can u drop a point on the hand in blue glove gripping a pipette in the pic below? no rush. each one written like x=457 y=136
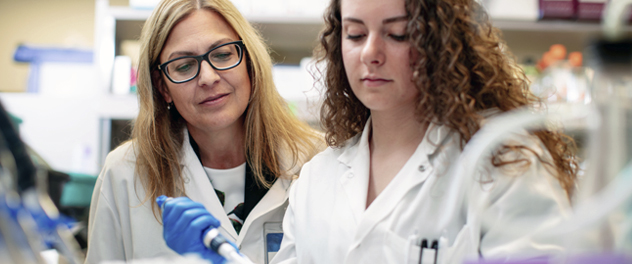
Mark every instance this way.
x=185 y=223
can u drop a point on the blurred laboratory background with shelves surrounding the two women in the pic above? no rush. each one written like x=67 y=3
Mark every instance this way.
x=68 y=88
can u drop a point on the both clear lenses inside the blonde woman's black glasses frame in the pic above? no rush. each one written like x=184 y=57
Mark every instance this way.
x=222 y=57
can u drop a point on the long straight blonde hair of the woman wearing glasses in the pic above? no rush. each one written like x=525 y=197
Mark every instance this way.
x=271 y=129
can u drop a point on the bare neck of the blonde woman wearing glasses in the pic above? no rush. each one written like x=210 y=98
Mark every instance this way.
x=223 y=149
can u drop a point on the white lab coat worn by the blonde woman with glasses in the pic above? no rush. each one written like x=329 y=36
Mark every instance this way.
x=123 y=227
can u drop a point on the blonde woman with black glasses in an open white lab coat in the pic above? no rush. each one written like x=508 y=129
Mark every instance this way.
x=211 y=127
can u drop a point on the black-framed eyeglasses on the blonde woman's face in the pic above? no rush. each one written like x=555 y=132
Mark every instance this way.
x=222 y=57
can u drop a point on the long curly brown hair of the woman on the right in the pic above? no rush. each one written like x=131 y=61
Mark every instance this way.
x=464 y=67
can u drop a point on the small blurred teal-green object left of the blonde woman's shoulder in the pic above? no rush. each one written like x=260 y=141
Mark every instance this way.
x=78 y=191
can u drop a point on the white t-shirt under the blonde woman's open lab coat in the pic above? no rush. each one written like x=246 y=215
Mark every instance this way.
x=232 y=182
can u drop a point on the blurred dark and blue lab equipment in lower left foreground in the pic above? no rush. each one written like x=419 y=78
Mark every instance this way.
x=28 y=217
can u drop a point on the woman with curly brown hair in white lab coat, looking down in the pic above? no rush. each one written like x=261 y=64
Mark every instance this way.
x=408 y=83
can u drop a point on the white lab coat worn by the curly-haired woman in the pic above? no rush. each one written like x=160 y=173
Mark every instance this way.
x=326 y=221
